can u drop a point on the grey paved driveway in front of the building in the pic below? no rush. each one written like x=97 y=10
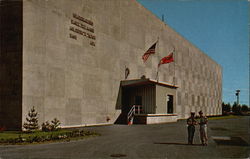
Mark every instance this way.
x=146 y=141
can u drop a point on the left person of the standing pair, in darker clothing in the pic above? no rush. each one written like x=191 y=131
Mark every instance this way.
x=191 y=122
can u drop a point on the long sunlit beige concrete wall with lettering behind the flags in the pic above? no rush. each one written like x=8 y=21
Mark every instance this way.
x=65 y=76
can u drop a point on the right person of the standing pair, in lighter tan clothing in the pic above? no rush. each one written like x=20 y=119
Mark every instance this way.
x=203 y=128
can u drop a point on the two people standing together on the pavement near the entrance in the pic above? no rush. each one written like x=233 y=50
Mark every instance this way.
x=202 y=121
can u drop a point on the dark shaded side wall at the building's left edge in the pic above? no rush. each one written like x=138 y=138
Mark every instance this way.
x=10 y=64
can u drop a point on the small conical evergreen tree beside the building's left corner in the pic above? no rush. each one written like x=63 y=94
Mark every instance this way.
x=32 y=121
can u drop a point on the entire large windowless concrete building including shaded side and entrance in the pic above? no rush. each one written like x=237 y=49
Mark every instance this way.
x=68 y=59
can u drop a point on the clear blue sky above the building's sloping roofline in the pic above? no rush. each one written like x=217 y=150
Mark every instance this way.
x=220 y=29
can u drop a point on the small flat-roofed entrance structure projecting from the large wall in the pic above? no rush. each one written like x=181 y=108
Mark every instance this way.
x=156 y=100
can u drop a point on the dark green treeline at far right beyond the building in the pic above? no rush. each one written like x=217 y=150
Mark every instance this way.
x=234 y=109
